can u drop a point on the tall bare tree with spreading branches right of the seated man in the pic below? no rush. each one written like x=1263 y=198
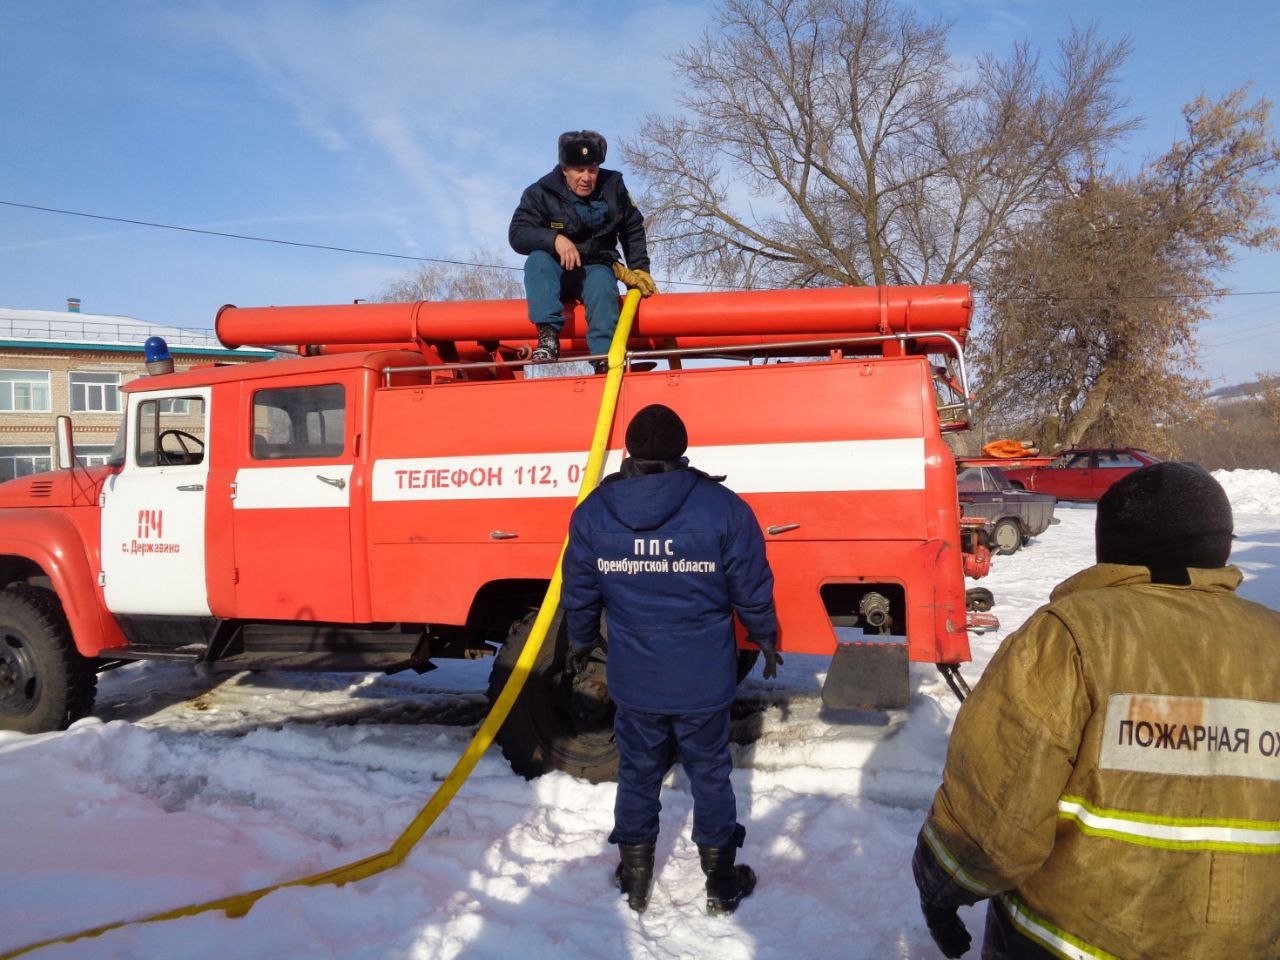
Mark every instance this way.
x=838 y=141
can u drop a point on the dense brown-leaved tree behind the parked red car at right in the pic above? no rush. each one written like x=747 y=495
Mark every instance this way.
x=1095 y=307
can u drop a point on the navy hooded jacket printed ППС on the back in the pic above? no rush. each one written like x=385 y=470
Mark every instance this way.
x=670 y=557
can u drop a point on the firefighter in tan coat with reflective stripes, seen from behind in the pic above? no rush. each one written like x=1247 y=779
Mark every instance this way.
x=1113 y=784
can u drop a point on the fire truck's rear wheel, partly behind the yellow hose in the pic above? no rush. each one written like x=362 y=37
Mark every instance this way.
x=551 y=726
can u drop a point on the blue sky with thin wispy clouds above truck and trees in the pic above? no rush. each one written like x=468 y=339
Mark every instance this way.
x=412 y=127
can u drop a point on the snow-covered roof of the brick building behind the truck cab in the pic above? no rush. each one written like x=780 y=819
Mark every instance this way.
x=57 y=330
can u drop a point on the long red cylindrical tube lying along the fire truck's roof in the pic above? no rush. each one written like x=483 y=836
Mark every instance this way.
x=793 y=313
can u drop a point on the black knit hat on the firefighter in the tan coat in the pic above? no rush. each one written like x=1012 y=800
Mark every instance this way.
x=1168 y=516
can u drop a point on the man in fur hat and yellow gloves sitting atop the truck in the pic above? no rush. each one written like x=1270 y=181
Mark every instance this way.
x=570 y=225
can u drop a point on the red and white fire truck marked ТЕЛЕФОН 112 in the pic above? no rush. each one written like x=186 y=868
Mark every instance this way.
x=400 y=493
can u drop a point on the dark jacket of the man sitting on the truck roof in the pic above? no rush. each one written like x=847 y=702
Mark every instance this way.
x=548 y=208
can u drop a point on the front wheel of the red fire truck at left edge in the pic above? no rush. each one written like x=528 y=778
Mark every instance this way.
x=45 y=684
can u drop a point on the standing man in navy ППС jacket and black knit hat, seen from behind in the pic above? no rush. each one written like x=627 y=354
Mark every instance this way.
x=670 y=555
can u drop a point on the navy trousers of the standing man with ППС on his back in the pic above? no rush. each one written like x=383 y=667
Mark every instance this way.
x=648 y=743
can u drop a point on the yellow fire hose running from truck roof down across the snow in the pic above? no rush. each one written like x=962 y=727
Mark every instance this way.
x=240 y=904
